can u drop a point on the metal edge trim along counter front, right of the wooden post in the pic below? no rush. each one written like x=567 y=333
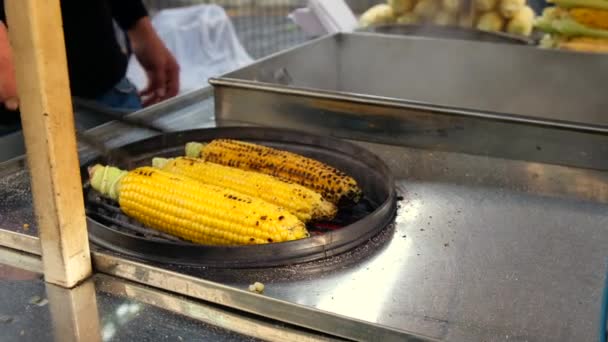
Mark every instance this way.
x=295 y=314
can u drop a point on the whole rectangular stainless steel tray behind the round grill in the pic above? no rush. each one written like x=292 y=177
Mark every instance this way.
x=501 y=100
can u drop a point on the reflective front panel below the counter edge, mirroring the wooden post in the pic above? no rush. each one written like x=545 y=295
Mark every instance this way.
x=110 y=309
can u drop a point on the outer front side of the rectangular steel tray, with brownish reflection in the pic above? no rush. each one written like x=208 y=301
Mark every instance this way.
x=413 y=126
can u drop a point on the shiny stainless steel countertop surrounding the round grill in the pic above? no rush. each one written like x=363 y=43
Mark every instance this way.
x=482 y=248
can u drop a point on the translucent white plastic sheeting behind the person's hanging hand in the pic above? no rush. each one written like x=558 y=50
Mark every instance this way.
x=202 y=39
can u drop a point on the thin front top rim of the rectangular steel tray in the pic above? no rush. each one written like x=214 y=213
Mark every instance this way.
x=406 y=104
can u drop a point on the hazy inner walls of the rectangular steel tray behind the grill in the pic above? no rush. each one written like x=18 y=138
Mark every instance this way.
x=478 y=76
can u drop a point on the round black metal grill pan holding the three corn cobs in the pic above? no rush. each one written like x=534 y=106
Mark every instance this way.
x=370 y=171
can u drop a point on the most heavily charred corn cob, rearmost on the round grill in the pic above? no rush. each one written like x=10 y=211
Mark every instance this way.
x=333 y=184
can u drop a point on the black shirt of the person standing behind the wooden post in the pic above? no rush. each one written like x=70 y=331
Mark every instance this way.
x=95 y=59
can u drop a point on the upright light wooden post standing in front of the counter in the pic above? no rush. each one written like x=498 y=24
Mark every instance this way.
x=36 y=35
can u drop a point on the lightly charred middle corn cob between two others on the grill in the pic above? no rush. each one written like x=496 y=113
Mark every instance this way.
x=304 y=203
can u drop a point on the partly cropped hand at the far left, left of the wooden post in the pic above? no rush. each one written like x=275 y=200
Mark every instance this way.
x=8 y=82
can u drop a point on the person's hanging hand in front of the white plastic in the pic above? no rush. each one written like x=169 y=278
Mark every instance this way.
x=158 y=62
